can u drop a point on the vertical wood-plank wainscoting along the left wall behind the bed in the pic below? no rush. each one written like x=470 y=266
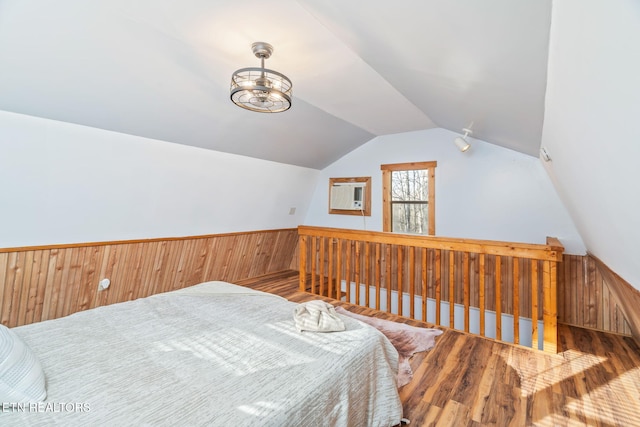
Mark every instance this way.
x=47 y=282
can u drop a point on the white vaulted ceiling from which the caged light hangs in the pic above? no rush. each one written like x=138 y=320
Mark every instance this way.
x=161 y=69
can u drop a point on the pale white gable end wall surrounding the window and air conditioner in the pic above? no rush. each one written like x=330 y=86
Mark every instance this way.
x=489 y=192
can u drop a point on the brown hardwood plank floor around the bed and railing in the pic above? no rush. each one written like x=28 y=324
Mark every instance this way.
x=472 y=381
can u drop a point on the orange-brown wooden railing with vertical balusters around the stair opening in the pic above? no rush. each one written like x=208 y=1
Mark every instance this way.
x=479 y=282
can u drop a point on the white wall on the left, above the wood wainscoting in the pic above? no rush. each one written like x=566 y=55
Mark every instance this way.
x=65 y=183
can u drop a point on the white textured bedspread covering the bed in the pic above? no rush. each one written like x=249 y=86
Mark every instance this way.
x=211 y=354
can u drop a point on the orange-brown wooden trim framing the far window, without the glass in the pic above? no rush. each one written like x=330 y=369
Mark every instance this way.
x=386 y=191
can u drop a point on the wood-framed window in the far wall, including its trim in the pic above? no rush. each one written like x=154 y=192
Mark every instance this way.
x=408 y=197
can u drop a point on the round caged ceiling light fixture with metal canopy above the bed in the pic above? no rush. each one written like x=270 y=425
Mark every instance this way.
x=260 y=89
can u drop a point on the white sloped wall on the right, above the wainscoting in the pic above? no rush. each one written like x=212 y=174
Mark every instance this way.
x=591 y=125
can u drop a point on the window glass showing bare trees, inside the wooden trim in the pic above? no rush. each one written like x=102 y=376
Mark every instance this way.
x=410 y=201
